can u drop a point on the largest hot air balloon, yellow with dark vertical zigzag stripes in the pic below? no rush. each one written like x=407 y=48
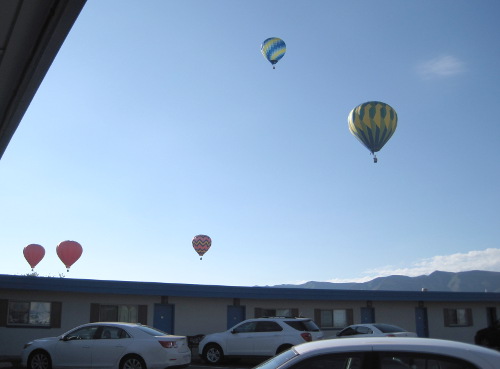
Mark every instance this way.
x=373 y=124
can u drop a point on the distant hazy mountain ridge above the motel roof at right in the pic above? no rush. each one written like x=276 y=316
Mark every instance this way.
x=472 y=281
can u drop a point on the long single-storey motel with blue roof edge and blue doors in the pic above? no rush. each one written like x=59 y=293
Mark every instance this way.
x=36 y=307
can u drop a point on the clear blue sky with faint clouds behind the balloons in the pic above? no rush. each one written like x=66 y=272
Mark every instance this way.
x=161 y=120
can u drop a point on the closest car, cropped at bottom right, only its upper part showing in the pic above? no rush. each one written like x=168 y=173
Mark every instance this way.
x=385 y=353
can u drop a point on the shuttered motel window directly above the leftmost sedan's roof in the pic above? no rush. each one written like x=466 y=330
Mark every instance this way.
x=118 y=313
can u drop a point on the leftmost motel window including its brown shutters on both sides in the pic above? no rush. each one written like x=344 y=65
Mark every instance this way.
x=31 y=314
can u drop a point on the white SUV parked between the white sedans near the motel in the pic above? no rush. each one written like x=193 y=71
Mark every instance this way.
x=259 y=337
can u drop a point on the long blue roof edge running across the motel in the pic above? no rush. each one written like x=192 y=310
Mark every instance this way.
x=195 y=290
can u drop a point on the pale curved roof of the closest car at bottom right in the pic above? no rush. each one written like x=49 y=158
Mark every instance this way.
x=407 y=344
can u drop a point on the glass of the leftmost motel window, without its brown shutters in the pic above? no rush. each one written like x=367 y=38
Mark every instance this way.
x=29 y=313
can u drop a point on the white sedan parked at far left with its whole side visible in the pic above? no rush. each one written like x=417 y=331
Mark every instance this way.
x=108 y=345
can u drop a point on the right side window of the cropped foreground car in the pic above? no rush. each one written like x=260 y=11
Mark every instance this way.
x=421 y=361
